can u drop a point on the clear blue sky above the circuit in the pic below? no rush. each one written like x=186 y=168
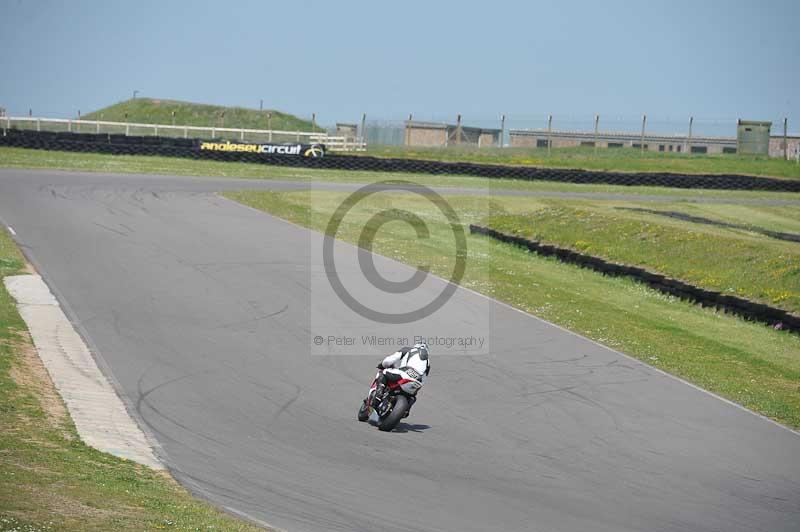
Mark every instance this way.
x=712 y=59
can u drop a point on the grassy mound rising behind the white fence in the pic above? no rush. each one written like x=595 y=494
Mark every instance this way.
x=156 y=111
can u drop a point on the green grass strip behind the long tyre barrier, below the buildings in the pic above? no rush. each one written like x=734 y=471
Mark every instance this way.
x=620 y=160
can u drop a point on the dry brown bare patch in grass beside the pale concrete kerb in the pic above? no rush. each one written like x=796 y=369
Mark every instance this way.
x=30 y=374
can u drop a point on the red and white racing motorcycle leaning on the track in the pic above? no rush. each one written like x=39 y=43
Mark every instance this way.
x=395 y=399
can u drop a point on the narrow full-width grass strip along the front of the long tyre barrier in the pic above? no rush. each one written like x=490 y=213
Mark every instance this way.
x=95 y=162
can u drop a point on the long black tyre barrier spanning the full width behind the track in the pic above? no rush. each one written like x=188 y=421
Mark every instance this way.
x=176 y=147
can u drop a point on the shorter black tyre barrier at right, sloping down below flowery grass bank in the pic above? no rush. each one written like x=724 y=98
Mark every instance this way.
x=744 y=308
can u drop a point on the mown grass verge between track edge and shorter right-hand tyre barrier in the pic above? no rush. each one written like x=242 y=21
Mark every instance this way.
x=749 y=363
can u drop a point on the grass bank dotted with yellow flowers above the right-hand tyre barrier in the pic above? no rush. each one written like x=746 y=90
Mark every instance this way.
x=733 y=261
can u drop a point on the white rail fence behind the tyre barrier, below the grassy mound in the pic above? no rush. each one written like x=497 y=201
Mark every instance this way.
x=333 y=143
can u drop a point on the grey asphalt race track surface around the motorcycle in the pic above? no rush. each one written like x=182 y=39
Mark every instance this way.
x=198 y=307
